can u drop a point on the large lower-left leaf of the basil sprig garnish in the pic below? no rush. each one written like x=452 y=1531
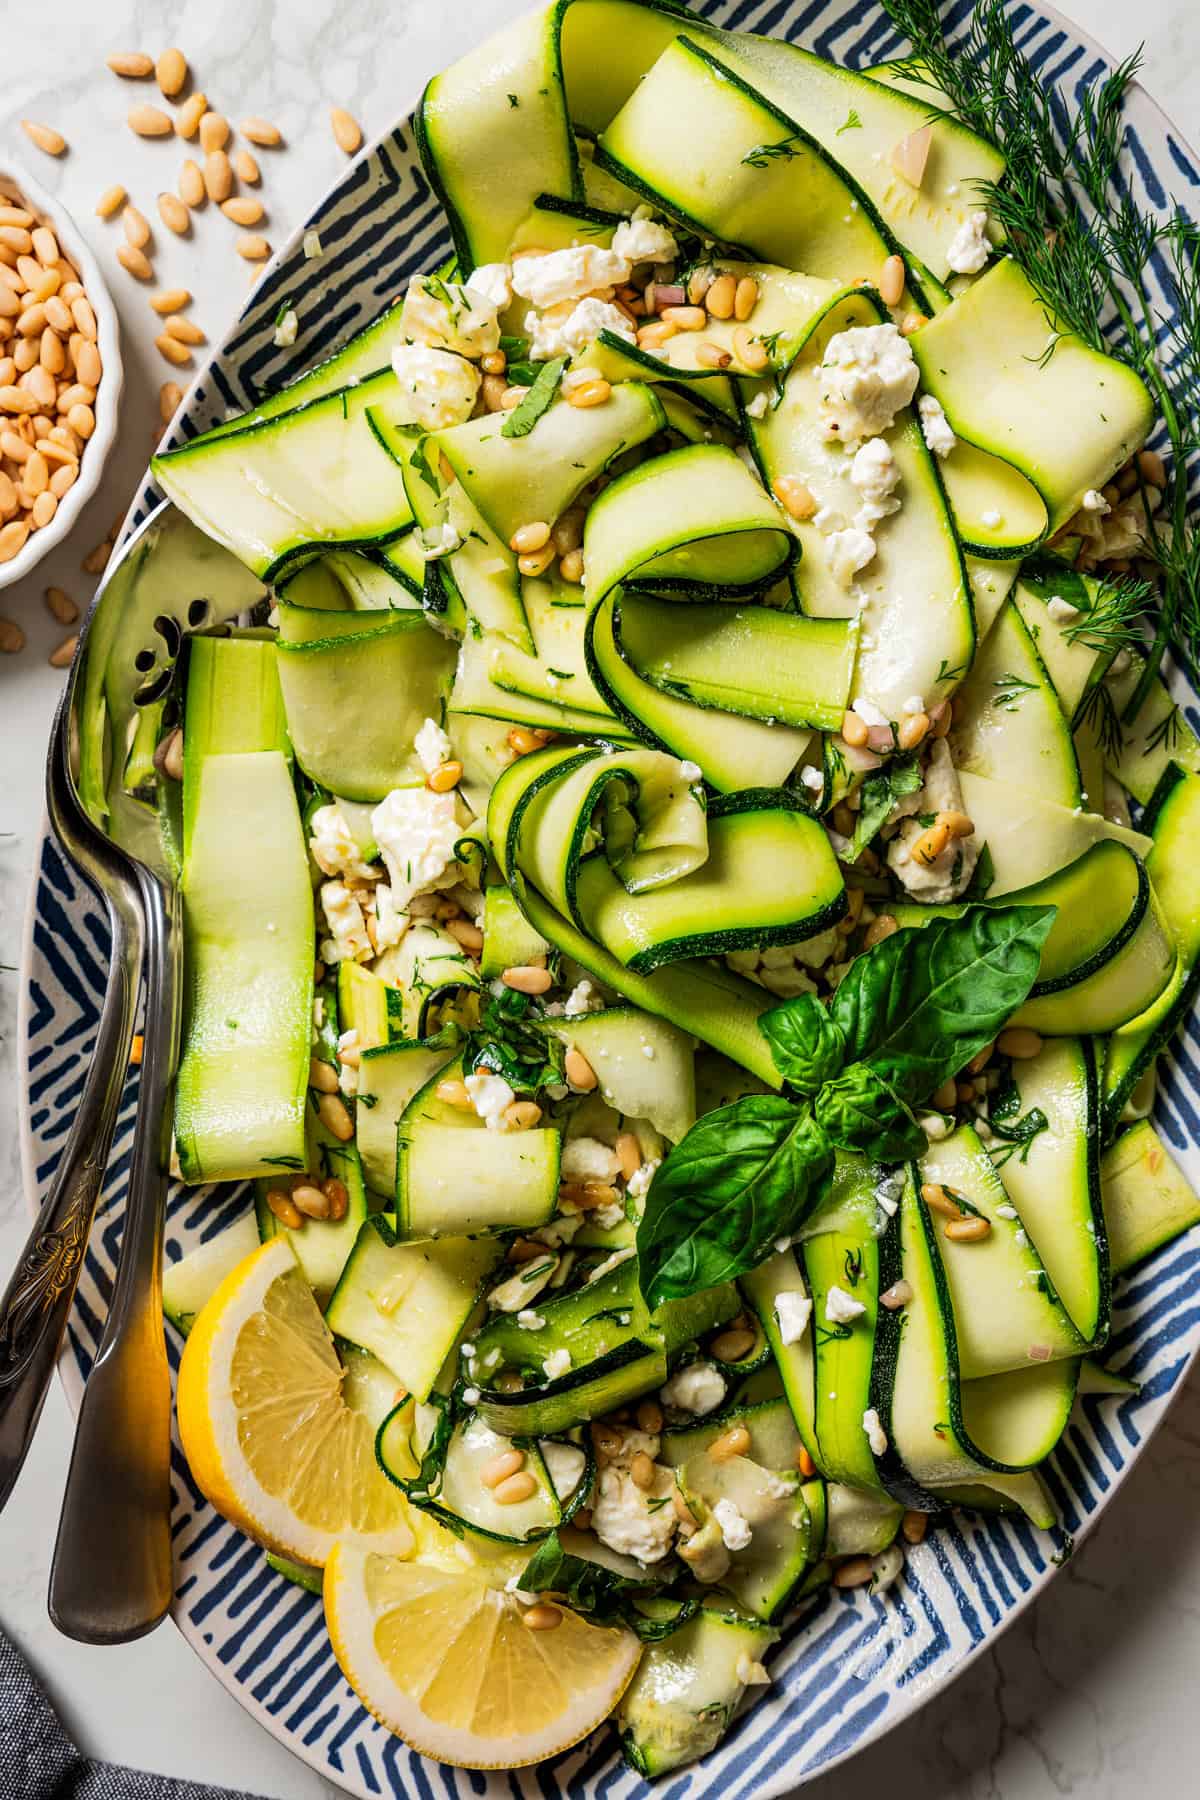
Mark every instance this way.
x=742 y=1178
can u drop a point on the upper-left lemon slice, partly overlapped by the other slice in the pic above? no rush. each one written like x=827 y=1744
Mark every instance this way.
x=264 y=1423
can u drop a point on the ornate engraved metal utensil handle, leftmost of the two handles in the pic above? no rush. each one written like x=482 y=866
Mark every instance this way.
x=37 y=1302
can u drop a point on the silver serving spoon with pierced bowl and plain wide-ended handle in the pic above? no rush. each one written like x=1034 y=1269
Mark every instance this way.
x=111 y=1579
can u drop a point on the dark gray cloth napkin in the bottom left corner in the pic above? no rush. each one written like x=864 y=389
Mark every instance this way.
x=40 y=1763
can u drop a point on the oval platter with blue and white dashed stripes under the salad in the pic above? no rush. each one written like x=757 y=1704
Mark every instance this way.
x=848 y=1668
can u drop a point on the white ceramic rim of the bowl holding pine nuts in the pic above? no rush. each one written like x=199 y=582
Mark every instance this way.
x=19 y=186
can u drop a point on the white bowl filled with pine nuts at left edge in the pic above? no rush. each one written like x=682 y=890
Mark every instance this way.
x=60 y=373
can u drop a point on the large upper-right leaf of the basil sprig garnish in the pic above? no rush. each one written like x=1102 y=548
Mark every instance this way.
x=920 y=1005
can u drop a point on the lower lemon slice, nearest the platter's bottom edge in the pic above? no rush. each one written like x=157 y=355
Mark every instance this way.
x=442 y=1657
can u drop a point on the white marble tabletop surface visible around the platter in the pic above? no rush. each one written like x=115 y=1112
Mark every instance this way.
x=1091 y=1691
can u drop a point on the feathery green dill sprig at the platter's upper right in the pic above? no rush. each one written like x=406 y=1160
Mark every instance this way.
x=1073 y=224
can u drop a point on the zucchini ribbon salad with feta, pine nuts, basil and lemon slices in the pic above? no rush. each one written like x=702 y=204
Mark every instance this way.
x=712 y=867
